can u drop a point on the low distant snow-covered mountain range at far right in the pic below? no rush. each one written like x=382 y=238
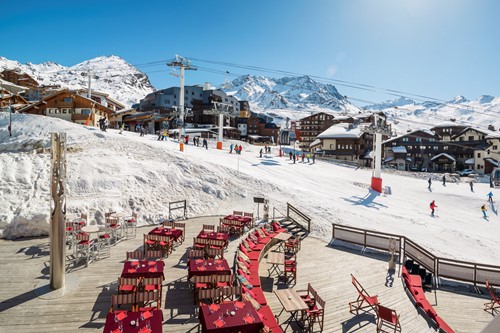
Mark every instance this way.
x=408 y=114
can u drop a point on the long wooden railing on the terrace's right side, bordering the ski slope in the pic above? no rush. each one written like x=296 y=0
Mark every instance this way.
x=440 y=267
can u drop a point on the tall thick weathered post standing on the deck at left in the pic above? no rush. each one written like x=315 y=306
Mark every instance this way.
x=58 y=210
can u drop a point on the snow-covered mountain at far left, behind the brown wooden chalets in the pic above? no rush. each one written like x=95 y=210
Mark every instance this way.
x=111 y=75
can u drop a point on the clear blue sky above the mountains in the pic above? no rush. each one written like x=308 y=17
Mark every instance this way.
x=434 y=48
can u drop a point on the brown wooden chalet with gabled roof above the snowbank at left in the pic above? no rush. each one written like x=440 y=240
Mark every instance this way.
x=70 y=106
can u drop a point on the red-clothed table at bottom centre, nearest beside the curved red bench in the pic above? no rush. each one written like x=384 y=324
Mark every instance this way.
x=230 y=317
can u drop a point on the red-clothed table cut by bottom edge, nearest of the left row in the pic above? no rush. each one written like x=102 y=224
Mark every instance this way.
x=154 y=317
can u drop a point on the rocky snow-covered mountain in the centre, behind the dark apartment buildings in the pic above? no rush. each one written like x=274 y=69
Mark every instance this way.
x=290 y=94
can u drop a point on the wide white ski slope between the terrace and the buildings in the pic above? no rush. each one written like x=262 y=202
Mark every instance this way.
x=127 y=172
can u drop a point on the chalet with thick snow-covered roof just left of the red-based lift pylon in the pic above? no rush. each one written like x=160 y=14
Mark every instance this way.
x=345 y=141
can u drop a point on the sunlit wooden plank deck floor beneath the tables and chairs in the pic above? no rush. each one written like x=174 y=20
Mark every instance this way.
x=25 y=263
